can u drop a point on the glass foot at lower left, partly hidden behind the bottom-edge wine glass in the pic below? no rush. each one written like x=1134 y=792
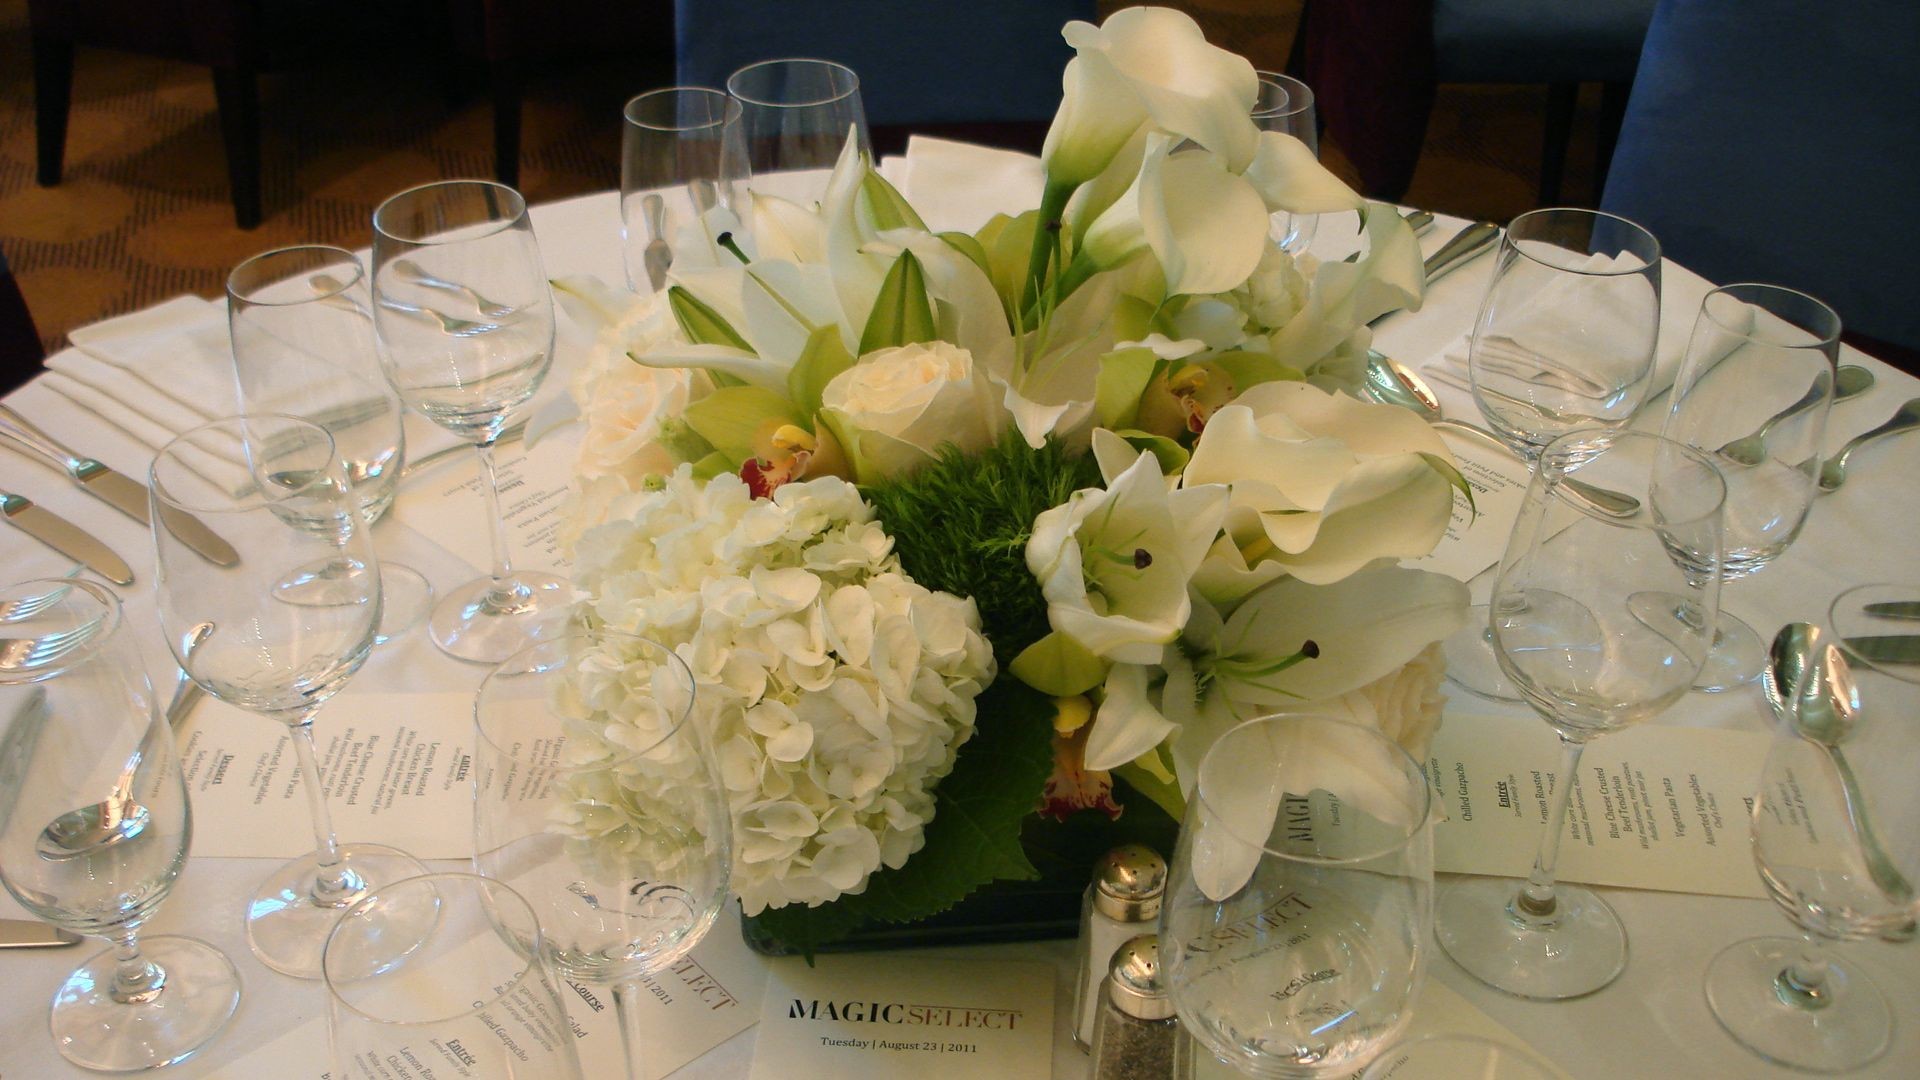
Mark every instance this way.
x=287 y=927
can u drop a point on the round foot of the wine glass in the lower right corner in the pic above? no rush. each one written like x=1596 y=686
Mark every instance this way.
x=1852 y=1029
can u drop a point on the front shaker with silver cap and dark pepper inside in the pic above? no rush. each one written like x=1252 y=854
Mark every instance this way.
x=1136 y=1035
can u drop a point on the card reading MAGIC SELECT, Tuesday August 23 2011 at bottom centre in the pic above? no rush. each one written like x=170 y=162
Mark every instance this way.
x=905 y=1016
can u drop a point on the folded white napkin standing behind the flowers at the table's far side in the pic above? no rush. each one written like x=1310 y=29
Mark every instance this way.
x=959 y=187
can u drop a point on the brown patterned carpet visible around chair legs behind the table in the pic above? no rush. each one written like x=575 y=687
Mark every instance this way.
x=145 y=214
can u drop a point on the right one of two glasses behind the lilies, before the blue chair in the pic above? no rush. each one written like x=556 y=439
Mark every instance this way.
x=798 y=118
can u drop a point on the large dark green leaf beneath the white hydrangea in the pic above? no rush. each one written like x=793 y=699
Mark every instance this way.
x=974 y=837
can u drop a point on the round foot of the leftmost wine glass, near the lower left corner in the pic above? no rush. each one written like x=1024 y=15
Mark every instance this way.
x=95 y=1031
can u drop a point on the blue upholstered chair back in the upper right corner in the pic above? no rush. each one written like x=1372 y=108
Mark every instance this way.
x=1781 y=141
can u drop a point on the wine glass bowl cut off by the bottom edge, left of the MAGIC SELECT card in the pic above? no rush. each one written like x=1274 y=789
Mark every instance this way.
x=444 y=962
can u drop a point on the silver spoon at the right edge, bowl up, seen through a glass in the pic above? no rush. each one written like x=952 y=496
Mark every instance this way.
x=1808 y=681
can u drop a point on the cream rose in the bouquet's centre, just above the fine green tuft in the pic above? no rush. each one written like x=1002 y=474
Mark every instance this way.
x=898 y=406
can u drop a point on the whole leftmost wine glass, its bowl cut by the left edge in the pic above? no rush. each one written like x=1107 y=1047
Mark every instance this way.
x=95 y=829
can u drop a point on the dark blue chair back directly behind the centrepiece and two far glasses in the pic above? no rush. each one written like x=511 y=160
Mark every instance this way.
x=919 y=64
